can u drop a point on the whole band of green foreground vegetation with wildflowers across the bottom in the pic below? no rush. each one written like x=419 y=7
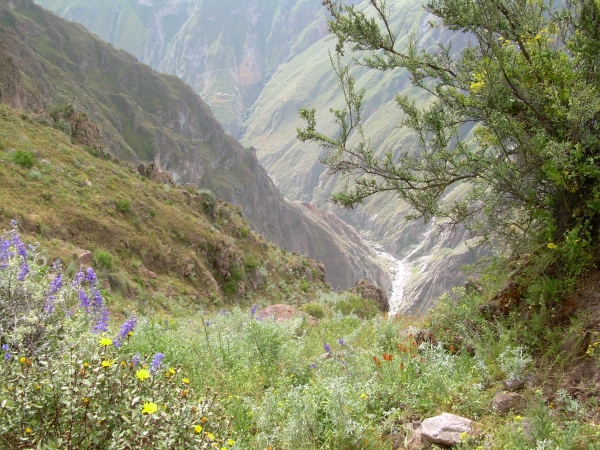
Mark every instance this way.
x=346 y=382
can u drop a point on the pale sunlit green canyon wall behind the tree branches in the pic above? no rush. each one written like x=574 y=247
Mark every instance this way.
x=309 y=80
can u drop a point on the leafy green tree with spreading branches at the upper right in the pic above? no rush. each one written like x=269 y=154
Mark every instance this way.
x=528 y=87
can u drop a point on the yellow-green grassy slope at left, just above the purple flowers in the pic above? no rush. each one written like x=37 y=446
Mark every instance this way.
x=72 y=200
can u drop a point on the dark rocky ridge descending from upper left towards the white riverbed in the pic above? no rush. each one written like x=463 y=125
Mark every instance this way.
x=147 y=116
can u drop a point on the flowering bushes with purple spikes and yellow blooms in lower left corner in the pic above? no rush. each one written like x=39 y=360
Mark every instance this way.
x=65 y=384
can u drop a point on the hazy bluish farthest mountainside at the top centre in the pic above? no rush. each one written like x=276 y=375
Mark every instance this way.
x=225 y=50
